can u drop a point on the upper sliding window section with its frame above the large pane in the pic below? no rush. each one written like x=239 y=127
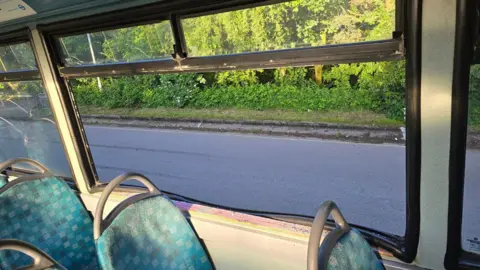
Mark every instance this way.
x=295 y=33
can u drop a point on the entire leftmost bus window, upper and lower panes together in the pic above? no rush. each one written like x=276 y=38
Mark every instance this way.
x=27 y=126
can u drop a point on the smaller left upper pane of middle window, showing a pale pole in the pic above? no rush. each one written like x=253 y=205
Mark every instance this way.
x=137 y=43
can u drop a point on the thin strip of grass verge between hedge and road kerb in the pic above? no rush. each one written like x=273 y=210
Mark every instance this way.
x=354 y=118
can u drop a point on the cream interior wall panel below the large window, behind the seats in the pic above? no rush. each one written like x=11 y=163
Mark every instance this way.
x=243 y=247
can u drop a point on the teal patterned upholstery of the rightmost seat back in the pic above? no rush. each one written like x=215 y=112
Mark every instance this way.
x=353 y=252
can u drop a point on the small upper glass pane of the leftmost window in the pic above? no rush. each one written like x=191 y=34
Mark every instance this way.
x=17 y=57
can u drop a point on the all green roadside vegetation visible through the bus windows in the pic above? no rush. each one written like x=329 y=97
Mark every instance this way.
x=359 y=93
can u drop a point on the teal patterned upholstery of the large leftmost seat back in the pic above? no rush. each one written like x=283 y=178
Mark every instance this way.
x=46 y=213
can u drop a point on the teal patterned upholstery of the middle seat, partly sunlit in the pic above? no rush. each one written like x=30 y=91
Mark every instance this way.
x=151 y=234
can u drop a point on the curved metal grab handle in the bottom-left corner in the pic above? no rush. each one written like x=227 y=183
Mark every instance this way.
x=40 y=259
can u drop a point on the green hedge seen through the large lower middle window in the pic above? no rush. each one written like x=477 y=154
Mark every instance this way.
x=291 y=91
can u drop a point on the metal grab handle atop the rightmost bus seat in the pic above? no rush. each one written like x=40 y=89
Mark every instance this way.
x=323 y=212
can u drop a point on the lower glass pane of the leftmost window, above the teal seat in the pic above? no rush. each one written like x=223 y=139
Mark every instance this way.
x=27 y=126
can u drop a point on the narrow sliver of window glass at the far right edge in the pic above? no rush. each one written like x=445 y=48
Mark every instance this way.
x=471 y=207
